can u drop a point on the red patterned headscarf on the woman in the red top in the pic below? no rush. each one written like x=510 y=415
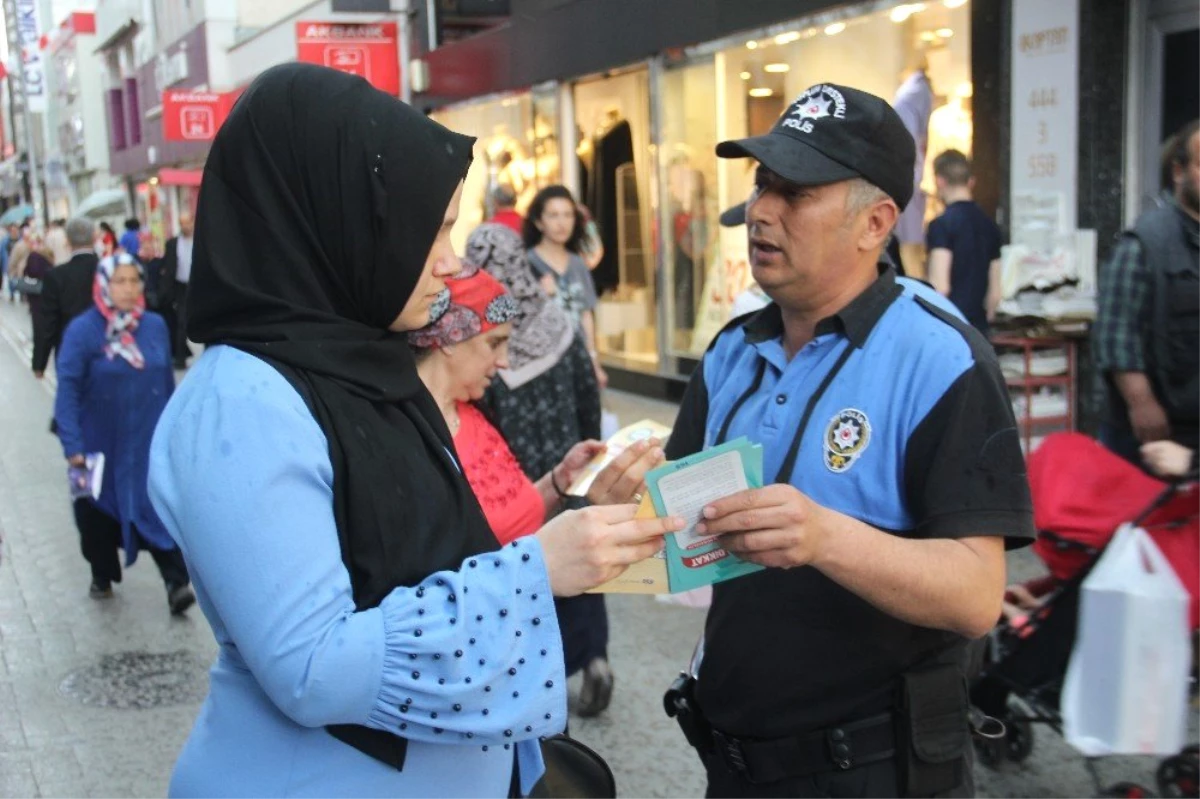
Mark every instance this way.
x=472 y=304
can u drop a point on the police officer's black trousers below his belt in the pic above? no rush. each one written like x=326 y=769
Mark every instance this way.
x=873 y=782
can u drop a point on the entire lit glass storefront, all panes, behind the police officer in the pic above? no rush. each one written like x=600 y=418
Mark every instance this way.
x=646 y=170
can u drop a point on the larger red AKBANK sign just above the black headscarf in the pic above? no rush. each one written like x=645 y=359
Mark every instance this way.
x=367 y=50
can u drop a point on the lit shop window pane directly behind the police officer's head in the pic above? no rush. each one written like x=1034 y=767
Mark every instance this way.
x=920 y=61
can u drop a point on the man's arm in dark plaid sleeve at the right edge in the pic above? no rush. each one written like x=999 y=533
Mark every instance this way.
x=1118 y=341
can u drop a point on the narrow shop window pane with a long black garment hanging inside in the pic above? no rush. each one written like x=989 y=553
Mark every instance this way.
x=616 y=169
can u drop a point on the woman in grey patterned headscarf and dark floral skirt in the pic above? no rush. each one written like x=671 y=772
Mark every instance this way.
x=544 y=402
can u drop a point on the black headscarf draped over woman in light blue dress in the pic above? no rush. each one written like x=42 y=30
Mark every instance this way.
x=321 y=201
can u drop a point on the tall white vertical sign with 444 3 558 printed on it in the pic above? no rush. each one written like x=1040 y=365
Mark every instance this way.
x=1046 y=106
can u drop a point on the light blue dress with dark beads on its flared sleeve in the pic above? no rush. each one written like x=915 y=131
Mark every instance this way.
x=469 y=666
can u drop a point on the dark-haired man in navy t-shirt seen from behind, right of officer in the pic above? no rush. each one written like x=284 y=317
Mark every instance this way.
x=964 y=244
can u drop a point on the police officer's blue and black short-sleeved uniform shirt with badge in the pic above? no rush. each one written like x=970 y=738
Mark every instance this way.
x=907 y=426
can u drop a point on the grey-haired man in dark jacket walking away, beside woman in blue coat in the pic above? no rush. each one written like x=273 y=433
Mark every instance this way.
x=67 y=292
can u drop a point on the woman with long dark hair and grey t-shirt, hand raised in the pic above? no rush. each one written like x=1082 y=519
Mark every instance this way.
x=554 y=235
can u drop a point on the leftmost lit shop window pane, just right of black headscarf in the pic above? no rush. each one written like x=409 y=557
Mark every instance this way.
x=517 y=147
